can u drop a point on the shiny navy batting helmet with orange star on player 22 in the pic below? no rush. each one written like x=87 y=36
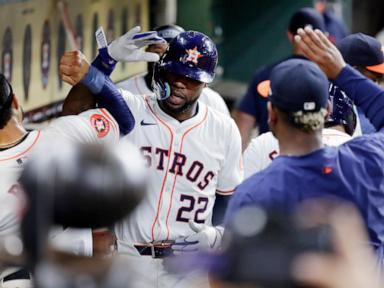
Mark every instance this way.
x=191 y=54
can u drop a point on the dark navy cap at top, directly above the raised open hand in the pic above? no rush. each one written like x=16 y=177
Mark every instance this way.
x=304 y=17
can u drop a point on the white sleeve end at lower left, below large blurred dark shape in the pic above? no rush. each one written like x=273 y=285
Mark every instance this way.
x=73 y=241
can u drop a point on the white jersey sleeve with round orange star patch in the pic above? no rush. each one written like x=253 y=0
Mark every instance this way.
x=92 y=126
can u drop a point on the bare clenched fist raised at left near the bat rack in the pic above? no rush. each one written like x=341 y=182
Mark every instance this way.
x=73 y=67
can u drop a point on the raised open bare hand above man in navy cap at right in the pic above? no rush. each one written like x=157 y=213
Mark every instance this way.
x=316 y=47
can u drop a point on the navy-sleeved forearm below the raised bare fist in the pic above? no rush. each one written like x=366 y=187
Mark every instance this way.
x=109 y=97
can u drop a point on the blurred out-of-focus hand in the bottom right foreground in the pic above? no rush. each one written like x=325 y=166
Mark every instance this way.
x=351 y=265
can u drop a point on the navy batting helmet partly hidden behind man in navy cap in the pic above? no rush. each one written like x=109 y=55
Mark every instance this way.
x=342 y=111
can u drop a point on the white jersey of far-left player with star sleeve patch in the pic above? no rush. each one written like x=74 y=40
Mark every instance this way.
x=91 y=126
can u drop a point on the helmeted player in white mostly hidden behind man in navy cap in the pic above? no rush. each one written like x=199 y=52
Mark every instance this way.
x=341 y=124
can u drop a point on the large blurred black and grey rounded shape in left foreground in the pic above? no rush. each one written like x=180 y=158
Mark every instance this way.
x=89 y=185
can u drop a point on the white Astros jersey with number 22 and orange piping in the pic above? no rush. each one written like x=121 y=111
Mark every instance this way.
x=189 y=162
